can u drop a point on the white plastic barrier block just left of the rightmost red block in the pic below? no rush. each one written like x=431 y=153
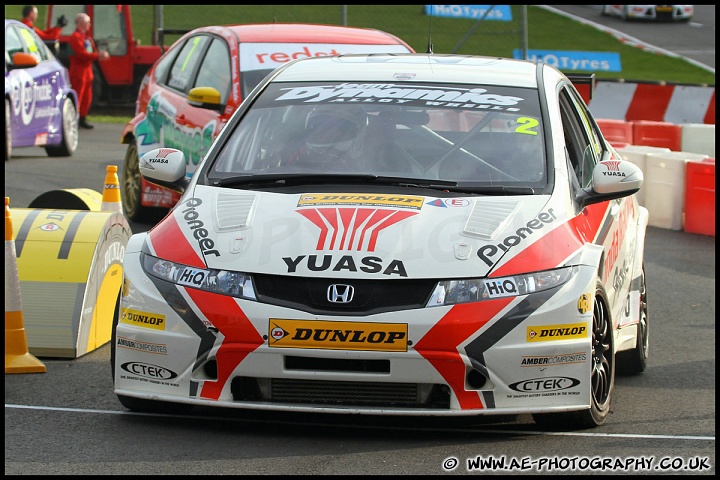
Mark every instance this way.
x=665 y=187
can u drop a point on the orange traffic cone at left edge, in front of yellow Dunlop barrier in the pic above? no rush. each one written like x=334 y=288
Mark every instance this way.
x=17 y=357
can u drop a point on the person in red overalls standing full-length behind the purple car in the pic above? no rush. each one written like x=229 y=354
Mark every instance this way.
x=83 y=53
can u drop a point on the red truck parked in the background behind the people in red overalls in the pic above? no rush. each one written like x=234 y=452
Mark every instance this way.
x=116 y=80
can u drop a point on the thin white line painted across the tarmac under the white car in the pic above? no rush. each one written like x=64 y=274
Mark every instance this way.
x=462 y=430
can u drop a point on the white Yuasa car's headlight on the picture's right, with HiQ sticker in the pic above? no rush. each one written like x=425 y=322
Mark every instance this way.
x=450 y=292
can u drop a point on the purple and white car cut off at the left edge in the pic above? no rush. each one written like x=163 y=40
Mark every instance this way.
x=40 y=105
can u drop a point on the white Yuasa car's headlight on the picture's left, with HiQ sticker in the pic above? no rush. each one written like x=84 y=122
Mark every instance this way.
x=223 y=282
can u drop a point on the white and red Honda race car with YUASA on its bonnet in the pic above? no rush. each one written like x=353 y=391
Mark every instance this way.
x=392 y=234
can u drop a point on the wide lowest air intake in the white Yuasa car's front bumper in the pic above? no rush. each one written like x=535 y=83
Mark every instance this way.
x=341 y=393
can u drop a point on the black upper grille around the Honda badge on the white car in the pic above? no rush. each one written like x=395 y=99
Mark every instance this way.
x=371 y=296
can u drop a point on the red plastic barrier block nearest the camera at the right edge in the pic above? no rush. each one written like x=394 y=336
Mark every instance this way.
x=700 y=197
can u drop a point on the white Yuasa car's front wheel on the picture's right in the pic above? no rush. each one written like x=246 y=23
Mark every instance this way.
x=602 y=374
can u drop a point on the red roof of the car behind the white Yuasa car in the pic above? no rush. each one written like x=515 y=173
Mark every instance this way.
x=307 y=33
